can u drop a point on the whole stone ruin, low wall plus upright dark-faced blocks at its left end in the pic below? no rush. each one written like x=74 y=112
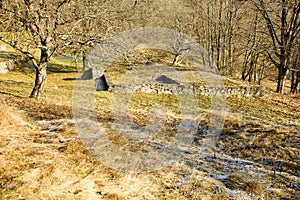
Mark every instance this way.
x=165 y=85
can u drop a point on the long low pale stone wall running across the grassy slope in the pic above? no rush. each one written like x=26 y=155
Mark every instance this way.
x=245 y=91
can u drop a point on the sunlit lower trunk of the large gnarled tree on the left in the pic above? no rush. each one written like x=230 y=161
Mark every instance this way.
x=40 y=81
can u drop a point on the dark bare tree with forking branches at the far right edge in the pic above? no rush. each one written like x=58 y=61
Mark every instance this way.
x=283 y=26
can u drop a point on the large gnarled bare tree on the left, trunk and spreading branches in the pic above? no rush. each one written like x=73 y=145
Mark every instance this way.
x=39 y=28
